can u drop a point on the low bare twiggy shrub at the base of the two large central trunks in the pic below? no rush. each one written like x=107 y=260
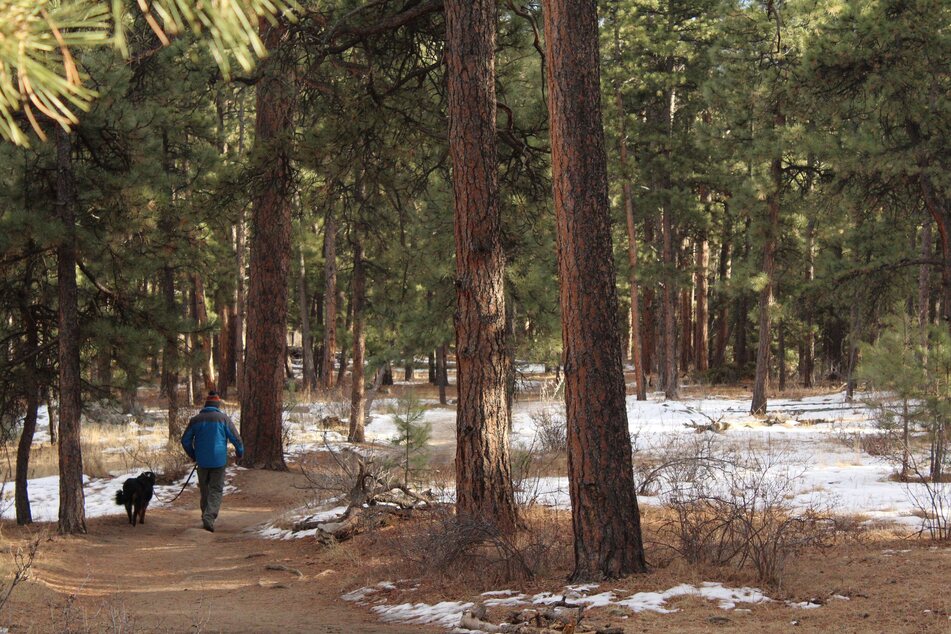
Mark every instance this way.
x=475 y=552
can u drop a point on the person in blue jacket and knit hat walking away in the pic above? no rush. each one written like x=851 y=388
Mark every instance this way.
x=206 y=442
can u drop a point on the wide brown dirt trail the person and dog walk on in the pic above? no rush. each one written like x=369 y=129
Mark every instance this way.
x=170 y=575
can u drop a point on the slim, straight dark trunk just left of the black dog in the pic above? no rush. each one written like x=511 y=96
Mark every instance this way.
x=72 y=511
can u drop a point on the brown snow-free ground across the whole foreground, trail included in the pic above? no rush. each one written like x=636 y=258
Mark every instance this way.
x=169 y=575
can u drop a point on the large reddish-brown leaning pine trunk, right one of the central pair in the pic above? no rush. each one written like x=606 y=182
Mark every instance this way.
x=605 y=517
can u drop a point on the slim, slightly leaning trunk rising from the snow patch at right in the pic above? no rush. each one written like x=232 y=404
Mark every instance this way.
x=761 y=382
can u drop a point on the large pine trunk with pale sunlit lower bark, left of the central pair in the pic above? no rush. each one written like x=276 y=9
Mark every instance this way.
x=483 y=472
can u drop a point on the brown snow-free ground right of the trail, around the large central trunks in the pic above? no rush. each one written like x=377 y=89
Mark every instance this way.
x=873 y=582
